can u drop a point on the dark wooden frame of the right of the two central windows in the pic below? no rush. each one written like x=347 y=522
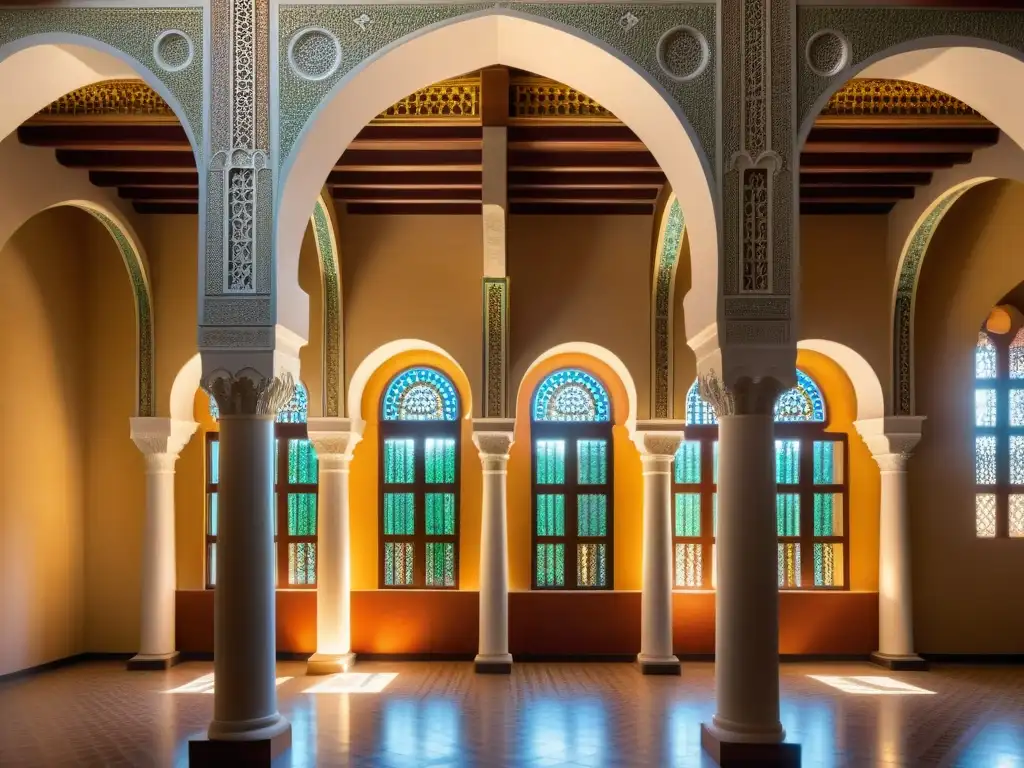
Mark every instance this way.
x=573 y=434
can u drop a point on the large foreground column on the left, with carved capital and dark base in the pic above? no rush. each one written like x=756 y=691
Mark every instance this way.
x=247 y=727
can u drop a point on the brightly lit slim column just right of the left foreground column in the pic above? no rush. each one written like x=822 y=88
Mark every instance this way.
x=335 y=440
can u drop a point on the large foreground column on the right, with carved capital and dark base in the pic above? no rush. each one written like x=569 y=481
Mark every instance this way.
x=746 y=726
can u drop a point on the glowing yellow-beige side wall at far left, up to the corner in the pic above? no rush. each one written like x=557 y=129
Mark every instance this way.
x=44 y=410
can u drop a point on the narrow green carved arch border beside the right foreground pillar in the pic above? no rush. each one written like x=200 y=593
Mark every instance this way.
x=670 y=241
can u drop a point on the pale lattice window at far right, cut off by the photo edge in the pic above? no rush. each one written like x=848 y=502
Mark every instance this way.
x=999 y=439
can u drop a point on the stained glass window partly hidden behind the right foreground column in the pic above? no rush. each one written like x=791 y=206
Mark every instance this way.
x=810 y=505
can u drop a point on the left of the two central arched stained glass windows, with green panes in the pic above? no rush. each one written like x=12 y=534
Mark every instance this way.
x=419 y=476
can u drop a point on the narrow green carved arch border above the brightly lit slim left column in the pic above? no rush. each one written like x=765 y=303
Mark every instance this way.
x=334 y=336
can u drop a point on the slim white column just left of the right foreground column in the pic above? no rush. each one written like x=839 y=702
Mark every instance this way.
x=658 y=442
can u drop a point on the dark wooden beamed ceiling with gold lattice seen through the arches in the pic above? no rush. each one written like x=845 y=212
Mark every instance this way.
x=876 y=143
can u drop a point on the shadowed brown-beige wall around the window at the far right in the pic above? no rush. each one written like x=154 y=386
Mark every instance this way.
x=967 y=590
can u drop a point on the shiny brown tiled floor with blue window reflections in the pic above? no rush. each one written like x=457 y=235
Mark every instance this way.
x=441 y=714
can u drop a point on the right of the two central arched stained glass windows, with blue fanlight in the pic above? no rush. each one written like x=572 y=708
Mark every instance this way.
x=573 y=474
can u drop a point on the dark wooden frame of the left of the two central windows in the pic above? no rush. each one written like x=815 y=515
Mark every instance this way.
x=419 y=432
